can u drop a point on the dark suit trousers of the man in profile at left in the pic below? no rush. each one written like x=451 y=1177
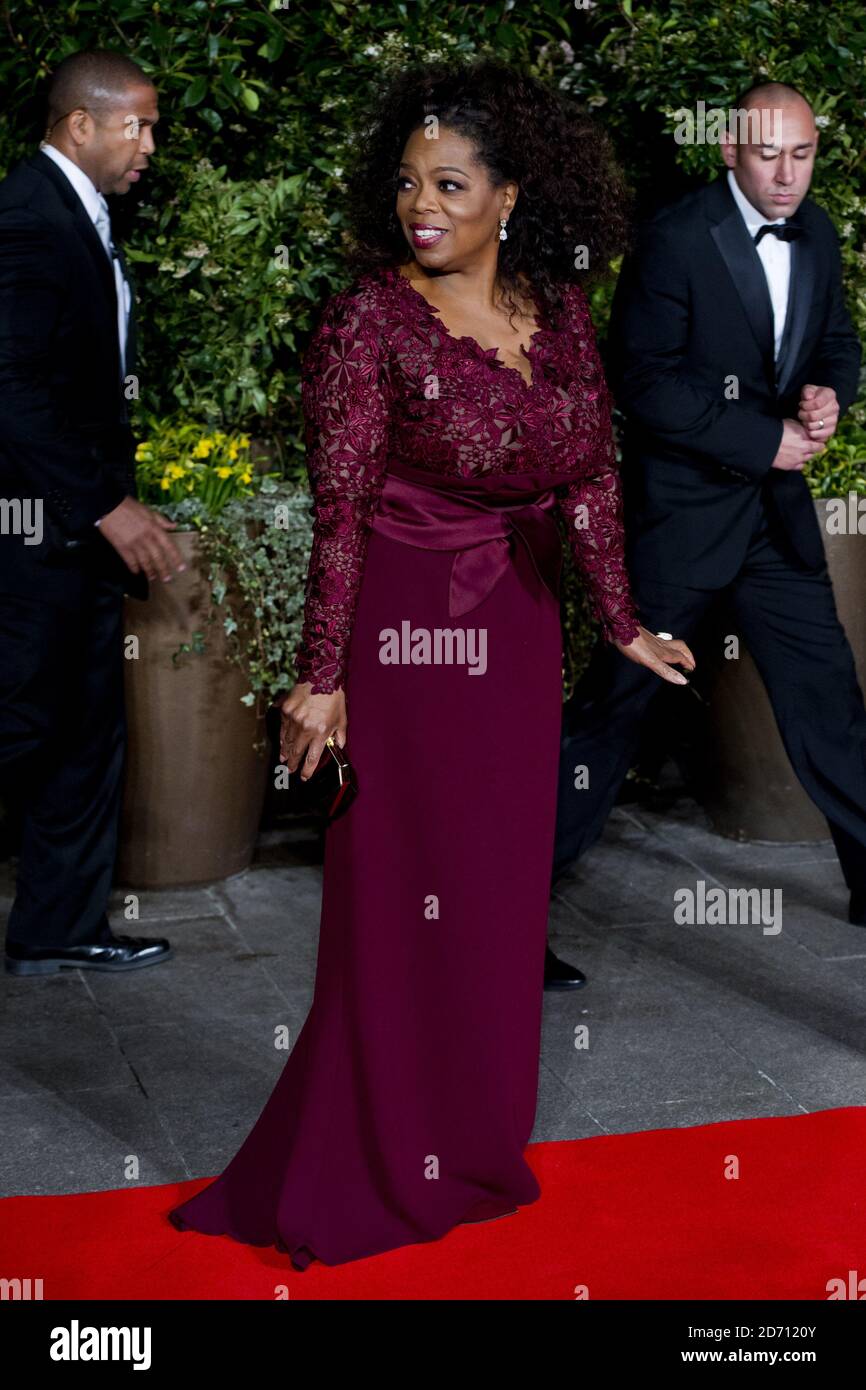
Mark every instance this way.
x=62 y=754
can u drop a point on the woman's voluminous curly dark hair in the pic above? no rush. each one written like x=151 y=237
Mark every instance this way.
x=572 y=191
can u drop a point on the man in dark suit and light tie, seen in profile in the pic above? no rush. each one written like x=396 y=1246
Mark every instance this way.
x=74 y=536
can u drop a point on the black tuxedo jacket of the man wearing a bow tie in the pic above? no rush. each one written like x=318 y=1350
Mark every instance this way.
x=693 y=311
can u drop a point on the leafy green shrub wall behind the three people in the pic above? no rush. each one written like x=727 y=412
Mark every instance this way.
x=236 y=233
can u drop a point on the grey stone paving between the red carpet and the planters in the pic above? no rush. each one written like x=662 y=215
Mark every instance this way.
x=161 y=1074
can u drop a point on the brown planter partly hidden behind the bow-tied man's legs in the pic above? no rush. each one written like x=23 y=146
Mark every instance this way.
x=751 y=792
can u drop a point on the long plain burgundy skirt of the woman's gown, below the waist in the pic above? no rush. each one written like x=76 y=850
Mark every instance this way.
x=409 y=1096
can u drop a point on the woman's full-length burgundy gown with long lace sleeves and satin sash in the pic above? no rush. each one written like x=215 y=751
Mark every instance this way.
x=409 y=1097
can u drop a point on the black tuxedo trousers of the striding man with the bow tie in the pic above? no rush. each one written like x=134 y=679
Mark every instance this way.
x=787 y=618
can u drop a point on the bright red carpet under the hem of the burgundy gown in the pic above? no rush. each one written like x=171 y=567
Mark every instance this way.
x=648 y=1216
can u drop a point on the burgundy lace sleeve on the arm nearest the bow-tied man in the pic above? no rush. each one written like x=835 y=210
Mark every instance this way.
x=593 y=505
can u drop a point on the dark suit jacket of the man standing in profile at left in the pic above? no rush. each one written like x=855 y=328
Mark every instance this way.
x=65 y=427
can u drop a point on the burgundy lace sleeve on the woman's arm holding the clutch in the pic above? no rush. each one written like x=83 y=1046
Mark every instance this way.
x=347 y=407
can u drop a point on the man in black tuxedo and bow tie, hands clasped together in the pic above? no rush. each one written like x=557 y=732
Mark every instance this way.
x=733 y=358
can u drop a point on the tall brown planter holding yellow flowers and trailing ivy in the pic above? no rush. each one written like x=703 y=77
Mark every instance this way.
x=195 y=786
